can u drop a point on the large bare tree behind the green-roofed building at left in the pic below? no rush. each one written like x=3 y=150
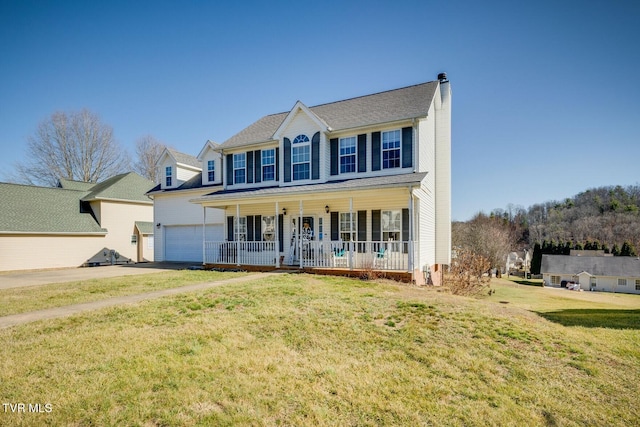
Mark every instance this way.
x=75 y=146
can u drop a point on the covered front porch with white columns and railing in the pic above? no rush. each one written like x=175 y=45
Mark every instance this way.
x=324 y=228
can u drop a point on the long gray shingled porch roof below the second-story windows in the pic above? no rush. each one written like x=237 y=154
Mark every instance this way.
x=350 y=184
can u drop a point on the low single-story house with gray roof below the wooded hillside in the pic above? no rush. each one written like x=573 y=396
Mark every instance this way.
x=598 y=273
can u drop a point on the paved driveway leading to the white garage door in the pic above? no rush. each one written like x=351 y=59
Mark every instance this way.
x=19 y=279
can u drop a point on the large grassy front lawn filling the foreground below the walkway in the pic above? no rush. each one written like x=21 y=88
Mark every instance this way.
x=312 y=350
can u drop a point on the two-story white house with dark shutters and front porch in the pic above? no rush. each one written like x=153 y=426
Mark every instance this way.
x=362 y=183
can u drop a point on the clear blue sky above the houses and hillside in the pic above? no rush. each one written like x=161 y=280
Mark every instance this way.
x=546 y=94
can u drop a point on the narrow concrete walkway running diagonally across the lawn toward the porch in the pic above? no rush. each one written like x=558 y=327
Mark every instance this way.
x=57 y=312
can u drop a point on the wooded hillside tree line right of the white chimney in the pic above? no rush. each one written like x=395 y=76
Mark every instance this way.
x=604 y=218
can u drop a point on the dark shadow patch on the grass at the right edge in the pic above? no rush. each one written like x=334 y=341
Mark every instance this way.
x=595 y=318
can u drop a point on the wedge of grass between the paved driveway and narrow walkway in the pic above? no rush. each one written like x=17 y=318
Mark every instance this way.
x=31 y=298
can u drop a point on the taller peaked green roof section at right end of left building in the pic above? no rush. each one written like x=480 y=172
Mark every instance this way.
x=127 y=186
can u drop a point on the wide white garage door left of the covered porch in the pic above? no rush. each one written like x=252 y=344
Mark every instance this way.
x=184 y=242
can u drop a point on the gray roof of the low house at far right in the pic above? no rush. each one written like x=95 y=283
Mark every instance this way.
x=615 y=266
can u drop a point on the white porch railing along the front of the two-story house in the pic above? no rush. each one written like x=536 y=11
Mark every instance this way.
x=391 y=255
